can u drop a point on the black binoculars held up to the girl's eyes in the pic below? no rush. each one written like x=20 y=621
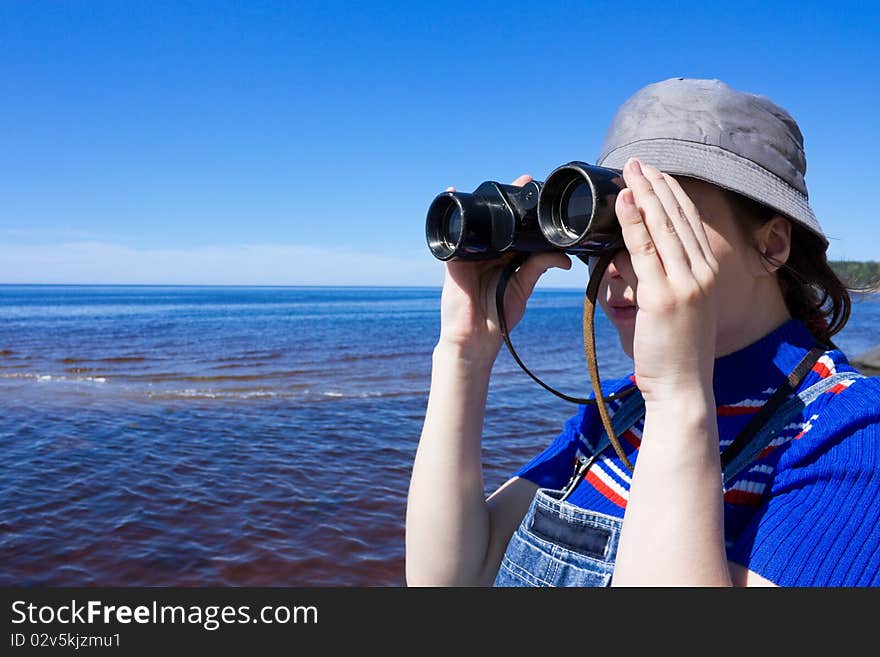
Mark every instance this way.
x=571 y=211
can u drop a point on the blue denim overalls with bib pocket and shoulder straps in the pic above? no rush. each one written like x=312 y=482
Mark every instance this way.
x=560 y=544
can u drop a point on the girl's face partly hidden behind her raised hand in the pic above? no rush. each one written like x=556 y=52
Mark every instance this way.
x=738 y=286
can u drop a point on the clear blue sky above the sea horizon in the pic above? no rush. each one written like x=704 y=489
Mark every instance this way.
x=301 y=143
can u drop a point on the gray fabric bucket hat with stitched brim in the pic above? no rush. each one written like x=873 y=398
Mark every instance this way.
x=705 y=129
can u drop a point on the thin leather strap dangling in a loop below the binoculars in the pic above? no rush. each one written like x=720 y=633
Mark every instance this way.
x=589 y=343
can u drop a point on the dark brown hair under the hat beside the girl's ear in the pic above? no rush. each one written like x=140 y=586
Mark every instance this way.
x=813 y=292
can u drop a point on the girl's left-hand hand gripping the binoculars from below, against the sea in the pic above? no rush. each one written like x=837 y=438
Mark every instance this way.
x=468 y=318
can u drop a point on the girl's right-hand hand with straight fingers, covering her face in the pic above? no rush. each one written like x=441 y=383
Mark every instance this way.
x=675 y=327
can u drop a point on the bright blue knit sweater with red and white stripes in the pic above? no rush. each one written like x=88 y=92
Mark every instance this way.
x=807 y=511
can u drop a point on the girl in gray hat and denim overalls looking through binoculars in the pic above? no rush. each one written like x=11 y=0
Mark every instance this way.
x=722 y=297
